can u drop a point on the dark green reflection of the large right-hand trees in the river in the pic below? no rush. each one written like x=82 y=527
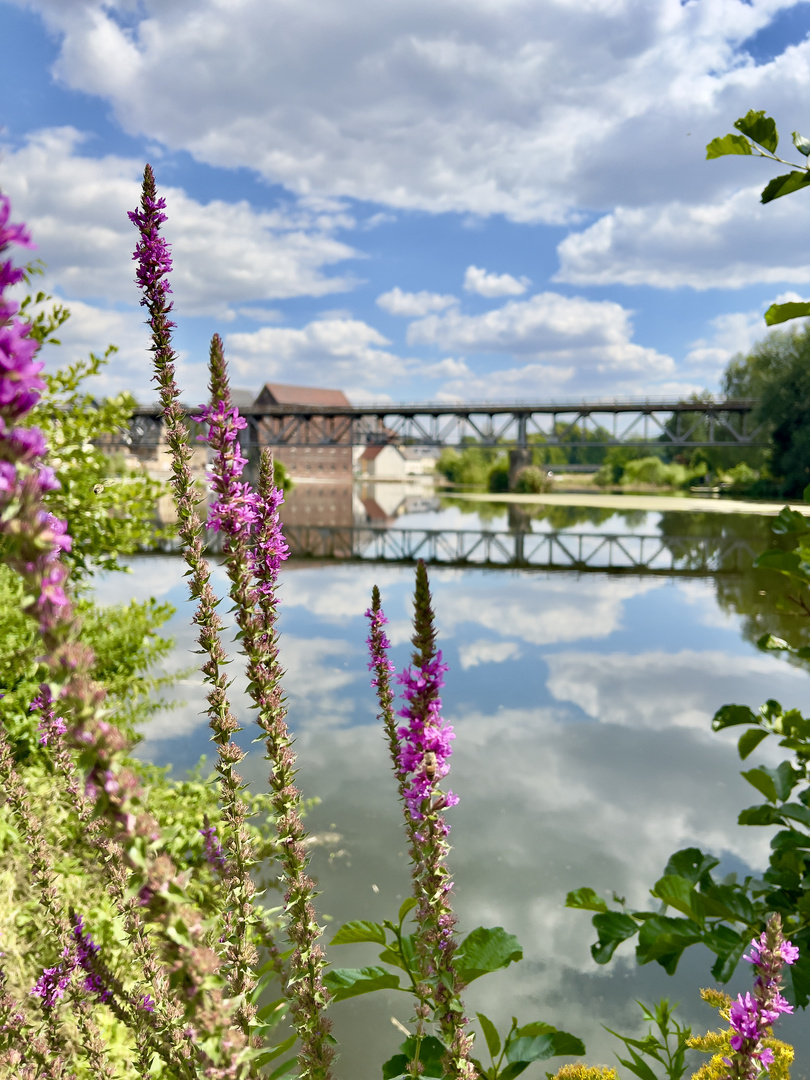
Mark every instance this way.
x=754 y=595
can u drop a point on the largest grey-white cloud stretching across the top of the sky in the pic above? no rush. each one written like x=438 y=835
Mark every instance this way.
x=534 y=112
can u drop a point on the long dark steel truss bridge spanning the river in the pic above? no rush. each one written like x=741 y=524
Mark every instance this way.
x=507 y=426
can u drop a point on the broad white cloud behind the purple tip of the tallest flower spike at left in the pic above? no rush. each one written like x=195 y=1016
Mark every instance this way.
x=224 y=253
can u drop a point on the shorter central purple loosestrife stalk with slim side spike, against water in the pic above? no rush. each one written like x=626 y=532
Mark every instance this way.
x=421 y=752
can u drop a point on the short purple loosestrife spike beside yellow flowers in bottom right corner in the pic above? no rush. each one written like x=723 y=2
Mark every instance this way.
x=753 y=1016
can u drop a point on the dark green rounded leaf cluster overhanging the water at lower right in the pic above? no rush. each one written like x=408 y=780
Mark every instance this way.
x=725 y=914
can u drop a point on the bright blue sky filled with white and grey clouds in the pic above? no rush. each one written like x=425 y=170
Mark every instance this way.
x=454 y=200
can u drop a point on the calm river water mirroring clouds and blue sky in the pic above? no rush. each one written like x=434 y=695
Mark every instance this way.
x=584 y=755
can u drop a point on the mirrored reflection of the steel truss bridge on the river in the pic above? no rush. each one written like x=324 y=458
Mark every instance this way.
x=583 y=552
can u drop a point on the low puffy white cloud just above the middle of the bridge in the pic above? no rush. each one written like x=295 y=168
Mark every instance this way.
x=574 y=344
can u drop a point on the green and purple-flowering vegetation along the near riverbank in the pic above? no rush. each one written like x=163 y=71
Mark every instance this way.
x=141 y=939
